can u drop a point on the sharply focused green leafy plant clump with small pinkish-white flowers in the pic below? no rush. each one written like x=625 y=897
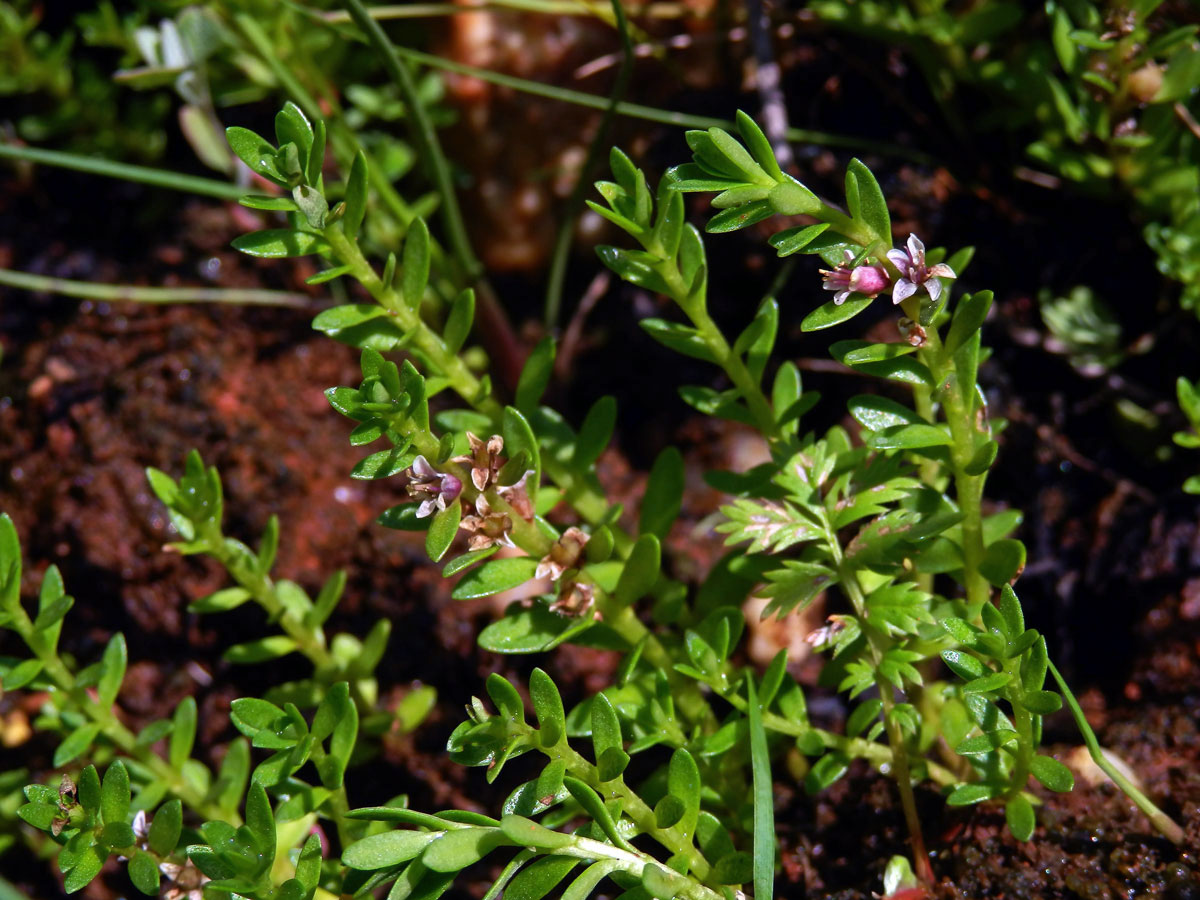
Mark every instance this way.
x=892 y=526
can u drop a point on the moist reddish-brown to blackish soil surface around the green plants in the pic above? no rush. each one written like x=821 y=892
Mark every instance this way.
x=92 y=394
